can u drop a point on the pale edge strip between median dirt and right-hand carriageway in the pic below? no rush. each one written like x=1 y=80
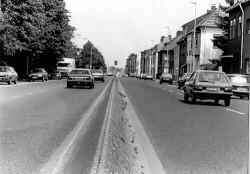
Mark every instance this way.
x=148 y=150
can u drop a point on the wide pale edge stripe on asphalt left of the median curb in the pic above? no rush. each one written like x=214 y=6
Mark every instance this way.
x=59 y=157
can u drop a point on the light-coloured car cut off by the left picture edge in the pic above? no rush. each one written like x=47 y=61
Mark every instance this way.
x=8 y=74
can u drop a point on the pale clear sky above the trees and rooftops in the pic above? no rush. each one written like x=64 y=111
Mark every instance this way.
x=121 y=27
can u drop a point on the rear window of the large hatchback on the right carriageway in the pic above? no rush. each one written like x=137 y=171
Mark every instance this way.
x=212 y=77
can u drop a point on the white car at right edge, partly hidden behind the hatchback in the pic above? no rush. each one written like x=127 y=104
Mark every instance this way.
x=240 y=84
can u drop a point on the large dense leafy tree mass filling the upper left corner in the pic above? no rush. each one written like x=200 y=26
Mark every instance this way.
x=34 y=33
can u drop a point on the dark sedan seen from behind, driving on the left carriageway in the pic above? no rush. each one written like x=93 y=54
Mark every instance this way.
x=80 y=77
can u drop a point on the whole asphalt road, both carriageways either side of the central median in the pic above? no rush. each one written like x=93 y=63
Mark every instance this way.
x=37 y=119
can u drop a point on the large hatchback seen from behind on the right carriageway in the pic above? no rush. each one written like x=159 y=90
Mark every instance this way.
x=205 y=84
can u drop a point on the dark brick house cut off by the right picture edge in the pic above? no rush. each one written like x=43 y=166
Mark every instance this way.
x=238 y=58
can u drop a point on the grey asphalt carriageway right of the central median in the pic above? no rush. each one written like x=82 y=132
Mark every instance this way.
x=191 y=138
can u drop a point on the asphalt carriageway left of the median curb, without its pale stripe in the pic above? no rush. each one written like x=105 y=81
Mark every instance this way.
x=35 y=119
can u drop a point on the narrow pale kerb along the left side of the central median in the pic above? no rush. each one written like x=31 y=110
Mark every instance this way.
x=101 y=152
